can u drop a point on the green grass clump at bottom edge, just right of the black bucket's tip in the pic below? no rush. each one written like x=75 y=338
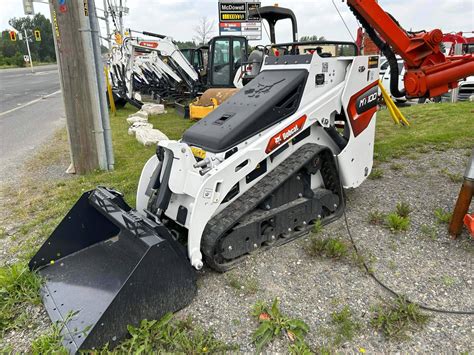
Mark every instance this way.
x=169 y=335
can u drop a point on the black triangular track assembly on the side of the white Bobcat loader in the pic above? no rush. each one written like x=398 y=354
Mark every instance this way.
x=269 y=214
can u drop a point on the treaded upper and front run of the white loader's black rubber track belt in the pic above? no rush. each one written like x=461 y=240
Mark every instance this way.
x=249 y=200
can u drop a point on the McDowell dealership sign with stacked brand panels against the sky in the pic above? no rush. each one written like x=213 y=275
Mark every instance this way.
x=234 y=19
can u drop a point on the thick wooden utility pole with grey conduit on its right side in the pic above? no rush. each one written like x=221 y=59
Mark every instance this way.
x=80 y=83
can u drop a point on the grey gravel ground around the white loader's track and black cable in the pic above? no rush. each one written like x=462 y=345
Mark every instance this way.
x=432 y=270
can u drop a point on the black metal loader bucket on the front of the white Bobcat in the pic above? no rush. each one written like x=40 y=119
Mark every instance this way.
x=105 y=267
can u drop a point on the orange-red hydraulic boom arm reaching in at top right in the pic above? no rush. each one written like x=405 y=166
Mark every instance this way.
x=429 y=72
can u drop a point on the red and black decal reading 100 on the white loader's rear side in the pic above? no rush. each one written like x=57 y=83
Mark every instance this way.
x=362 y=107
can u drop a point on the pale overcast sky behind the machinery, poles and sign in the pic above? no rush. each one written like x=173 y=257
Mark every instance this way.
x=178 y=18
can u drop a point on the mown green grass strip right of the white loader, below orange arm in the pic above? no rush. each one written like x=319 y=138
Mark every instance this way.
x=433 y=126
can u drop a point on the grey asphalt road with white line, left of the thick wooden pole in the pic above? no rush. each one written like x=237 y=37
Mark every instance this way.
x=31 y=110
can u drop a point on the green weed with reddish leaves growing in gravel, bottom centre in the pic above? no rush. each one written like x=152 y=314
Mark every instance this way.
x=274 y=324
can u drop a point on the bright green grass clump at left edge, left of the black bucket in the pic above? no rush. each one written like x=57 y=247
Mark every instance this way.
x=18 y=287
